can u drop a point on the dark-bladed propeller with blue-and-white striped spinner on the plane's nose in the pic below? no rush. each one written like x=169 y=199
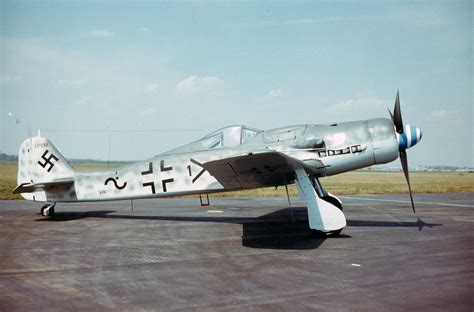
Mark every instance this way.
x=407 y=136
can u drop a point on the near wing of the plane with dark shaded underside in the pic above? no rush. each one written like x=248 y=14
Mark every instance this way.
x=259 y=169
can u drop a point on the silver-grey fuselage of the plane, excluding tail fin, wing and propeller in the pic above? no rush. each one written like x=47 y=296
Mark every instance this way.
x=333 y=149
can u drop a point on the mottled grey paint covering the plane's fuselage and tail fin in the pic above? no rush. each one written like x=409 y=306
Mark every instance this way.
x=323 y=149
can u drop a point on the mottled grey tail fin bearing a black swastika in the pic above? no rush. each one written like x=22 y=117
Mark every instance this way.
x=40 y=163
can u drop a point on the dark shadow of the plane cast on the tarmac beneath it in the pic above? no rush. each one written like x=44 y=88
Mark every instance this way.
x=283 y=229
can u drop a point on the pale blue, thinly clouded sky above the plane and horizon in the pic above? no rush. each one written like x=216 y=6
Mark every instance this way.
x=191 y=67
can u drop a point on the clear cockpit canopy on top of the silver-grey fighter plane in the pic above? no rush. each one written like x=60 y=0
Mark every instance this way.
x=224 y=137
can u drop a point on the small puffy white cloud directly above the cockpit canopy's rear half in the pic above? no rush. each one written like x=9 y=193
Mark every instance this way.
x=199 y=85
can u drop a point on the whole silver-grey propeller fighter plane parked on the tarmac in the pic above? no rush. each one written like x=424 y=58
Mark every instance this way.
x=229 y=159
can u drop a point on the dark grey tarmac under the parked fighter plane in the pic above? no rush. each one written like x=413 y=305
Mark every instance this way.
x=238 y=254
